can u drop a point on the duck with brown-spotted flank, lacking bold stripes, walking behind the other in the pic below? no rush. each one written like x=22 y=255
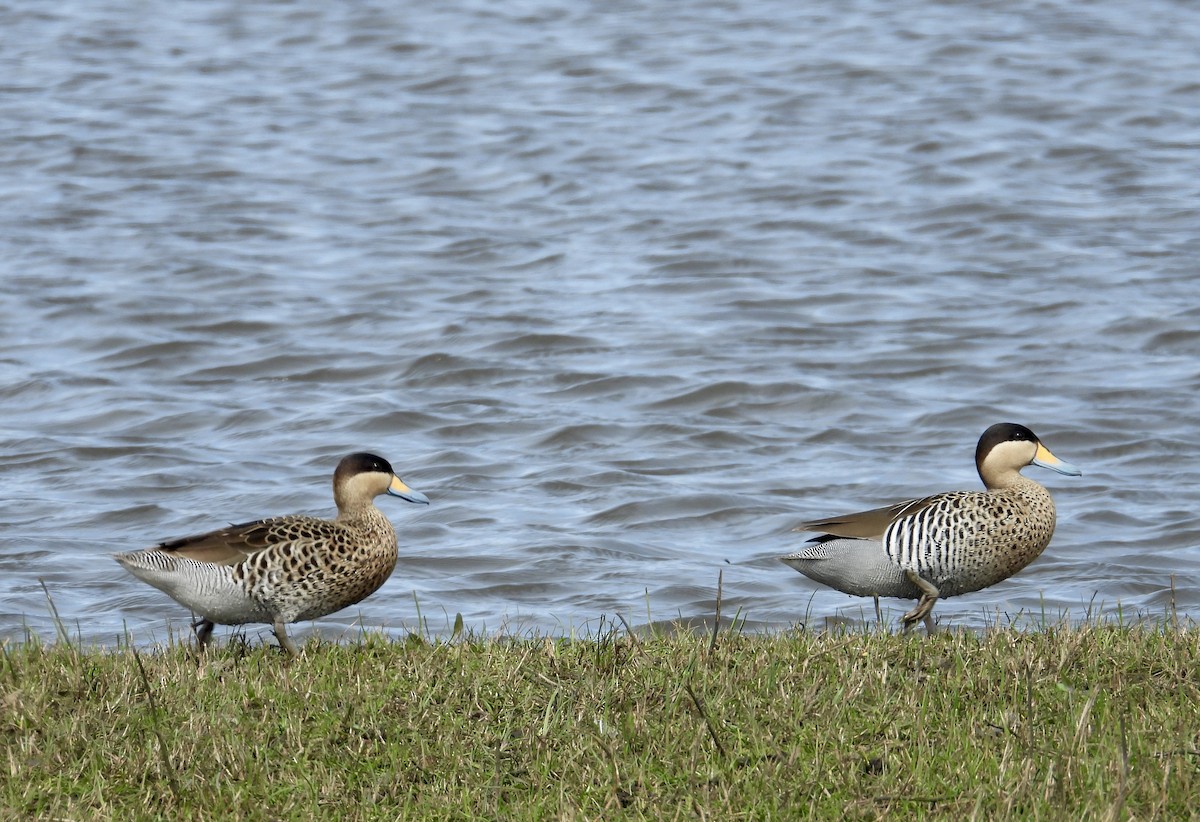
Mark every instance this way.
x=284 y=569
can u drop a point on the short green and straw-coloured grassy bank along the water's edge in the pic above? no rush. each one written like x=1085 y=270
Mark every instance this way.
x=1096 y=722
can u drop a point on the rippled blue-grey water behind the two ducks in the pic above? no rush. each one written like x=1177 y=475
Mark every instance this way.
x=628 y=290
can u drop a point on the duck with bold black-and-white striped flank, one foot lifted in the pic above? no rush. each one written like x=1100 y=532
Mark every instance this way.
x=944 y=545
